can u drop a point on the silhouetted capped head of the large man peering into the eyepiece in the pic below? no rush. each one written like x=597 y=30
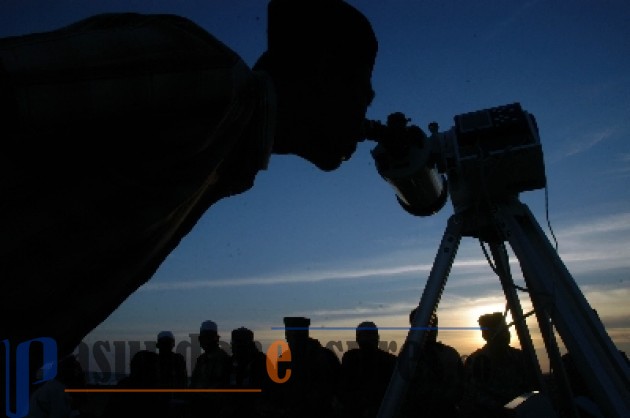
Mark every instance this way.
x=320 y=56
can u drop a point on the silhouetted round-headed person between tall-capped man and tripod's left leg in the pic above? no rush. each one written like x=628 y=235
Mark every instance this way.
x=365 y=374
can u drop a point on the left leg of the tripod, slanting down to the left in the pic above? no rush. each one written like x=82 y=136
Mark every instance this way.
x=408 y=358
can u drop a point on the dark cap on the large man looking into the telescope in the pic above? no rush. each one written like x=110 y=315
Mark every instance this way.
x=300 y=29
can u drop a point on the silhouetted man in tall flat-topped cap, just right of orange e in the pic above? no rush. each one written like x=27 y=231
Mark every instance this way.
x=310 y=391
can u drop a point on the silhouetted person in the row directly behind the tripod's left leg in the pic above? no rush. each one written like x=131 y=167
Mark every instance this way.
x=436 y=387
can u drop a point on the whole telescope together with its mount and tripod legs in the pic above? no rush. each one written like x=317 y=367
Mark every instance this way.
x=483 y=162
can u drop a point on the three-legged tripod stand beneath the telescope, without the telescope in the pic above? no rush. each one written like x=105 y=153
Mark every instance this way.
x=558 y=303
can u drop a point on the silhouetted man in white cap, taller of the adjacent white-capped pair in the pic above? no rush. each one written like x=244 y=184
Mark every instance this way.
x=212 y=371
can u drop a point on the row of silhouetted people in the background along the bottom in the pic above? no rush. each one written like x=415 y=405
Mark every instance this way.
x=308 y=379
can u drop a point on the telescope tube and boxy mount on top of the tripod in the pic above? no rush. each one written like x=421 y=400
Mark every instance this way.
x=489 y=156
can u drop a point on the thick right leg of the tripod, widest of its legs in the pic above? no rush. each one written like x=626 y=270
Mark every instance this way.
x=554 y=291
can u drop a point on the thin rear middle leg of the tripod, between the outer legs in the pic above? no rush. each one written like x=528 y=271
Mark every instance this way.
x=502 y=265
